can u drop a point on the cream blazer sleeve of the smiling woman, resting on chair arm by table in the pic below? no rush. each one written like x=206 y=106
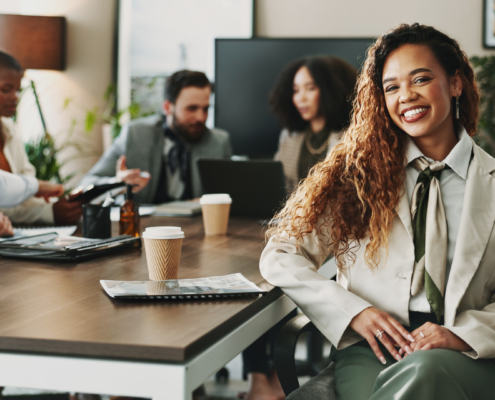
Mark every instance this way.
x=293 y=267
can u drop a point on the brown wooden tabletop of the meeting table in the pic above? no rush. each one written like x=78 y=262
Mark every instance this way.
x=62 y=309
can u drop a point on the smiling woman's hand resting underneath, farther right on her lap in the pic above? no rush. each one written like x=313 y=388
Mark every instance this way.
x=432 y=336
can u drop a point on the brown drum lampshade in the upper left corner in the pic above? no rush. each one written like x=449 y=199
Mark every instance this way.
x=36 y=42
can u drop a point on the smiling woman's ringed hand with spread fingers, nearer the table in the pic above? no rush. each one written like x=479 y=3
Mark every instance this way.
x=369 y=322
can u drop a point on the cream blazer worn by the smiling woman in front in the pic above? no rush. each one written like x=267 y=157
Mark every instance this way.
x=470 y=292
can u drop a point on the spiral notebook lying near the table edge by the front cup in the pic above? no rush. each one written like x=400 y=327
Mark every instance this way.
x=215 y=287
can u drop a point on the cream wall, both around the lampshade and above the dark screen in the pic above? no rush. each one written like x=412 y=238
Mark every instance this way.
x=90 y=40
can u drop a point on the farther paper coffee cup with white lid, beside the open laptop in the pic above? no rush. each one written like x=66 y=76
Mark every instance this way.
x=216 y=210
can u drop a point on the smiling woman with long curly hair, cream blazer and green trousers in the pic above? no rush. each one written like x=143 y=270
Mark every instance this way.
x=405 y=190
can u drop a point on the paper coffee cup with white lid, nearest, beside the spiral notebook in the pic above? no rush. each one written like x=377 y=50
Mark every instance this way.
x=163 y=245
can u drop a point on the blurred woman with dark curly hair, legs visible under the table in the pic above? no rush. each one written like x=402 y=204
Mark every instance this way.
x=311 y=99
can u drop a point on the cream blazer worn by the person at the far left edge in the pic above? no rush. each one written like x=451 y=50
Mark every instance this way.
x=32 y=210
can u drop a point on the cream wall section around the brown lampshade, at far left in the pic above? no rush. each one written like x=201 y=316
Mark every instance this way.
x=88 y=72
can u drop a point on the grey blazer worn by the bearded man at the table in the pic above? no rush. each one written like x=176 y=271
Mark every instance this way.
x=142 y=142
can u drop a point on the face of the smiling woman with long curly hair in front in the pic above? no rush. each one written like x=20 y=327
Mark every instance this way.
x=418 y=92
